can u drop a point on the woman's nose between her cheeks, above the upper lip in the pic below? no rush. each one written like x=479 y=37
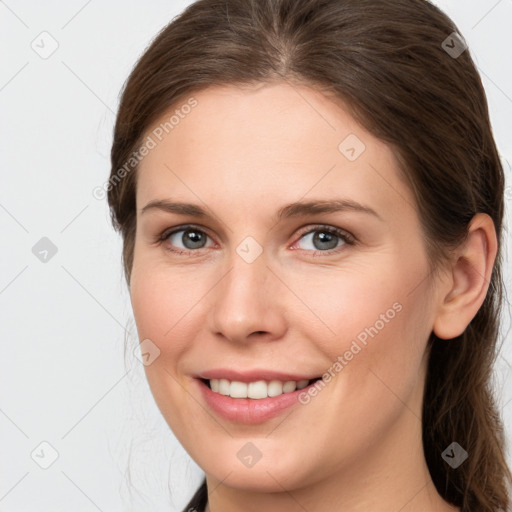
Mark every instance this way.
x=248 y=302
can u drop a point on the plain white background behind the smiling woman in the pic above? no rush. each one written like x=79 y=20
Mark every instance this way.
x=63 y=375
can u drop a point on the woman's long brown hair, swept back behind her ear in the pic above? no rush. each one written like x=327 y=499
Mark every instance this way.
x=385 y=60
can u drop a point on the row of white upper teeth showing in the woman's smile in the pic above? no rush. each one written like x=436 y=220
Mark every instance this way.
x=256 y=390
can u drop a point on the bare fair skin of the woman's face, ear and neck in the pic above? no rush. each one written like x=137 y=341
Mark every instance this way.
x=243 y=153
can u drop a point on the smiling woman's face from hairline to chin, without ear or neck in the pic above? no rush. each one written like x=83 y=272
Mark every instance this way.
x=264 y=286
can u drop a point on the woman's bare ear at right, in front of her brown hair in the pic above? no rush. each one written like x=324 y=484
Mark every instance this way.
x=463 y=293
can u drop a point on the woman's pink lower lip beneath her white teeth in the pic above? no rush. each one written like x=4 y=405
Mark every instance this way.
x=248 y=410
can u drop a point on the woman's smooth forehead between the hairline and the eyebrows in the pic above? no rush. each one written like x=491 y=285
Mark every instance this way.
x=267 y=142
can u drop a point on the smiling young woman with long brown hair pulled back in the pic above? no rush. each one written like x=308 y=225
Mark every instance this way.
x=311 y=204
